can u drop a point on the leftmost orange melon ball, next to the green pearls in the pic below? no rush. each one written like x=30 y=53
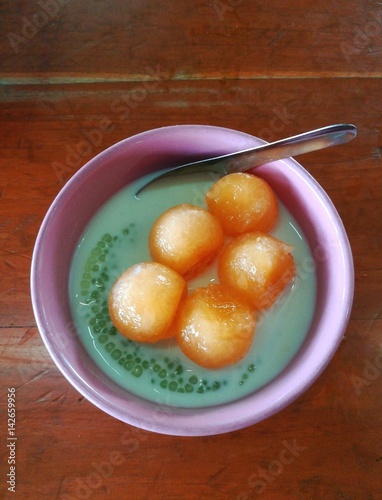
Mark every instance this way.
x=144 y=300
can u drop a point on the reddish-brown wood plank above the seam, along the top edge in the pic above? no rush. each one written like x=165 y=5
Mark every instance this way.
x=221 y=38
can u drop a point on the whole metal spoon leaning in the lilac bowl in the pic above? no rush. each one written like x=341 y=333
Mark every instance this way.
x=248 y=159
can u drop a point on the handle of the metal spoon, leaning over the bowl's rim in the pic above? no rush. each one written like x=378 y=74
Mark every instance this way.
x=292 y=146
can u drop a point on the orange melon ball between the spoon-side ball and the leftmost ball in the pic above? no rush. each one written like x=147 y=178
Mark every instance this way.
x=185 y=238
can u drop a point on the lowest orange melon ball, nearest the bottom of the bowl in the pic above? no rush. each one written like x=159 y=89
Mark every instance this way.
x=215 y=327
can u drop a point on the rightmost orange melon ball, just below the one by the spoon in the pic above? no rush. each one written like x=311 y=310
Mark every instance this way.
x=258 y=266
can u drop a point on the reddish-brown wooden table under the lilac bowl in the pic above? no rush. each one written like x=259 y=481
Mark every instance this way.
x=271 y=69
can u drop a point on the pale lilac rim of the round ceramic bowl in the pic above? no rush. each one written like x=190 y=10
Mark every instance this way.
x=216 y=419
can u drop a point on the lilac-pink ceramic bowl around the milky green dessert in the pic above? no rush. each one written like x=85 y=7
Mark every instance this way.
x=122 y=163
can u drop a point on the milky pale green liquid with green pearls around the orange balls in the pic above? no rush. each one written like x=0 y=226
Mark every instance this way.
x=116 y=238
